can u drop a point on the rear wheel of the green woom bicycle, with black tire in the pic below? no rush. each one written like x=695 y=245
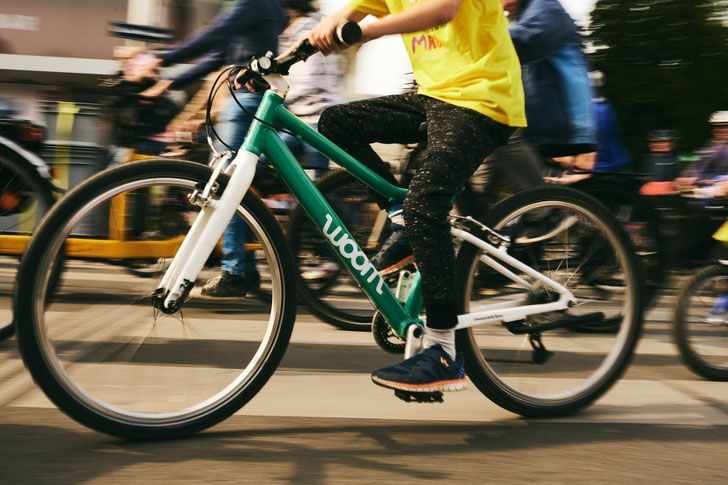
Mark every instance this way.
x=585 y=245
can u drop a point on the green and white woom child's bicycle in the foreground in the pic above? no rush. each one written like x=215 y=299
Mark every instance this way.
x=146 y=359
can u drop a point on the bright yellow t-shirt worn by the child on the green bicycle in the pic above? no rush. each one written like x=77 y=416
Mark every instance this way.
x=468 y=62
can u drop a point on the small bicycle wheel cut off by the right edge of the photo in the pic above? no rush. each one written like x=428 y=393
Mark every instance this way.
x=703 y=343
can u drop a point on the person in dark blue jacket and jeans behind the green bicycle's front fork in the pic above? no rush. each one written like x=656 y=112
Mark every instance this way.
x=243 y=29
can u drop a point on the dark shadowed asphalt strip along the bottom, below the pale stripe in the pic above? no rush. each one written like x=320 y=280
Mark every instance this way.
x=323 y=450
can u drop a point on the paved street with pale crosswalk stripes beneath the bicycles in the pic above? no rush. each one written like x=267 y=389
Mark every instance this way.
x=321 y=420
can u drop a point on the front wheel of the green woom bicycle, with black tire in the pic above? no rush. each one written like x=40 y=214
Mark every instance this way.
x=106 y=357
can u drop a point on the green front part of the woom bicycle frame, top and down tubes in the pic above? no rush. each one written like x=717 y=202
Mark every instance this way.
x=263 y=139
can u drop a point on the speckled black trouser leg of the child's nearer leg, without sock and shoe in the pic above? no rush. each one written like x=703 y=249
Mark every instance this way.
x=445 y=170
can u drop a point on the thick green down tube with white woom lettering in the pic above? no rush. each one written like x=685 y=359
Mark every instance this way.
x=326 y=220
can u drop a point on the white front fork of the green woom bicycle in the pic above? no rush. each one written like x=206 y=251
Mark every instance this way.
x=207 y=230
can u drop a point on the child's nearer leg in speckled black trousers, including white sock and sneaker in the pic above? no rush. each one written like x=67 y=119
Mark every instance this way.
x=459 y=139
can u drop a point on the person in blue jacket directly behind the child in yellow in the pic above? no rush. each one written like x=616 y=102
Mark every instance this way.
x=558 y=98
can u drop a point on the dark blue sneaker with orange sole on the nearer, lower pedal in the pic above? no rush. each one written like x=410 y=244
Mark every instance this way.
x=431 y=370
